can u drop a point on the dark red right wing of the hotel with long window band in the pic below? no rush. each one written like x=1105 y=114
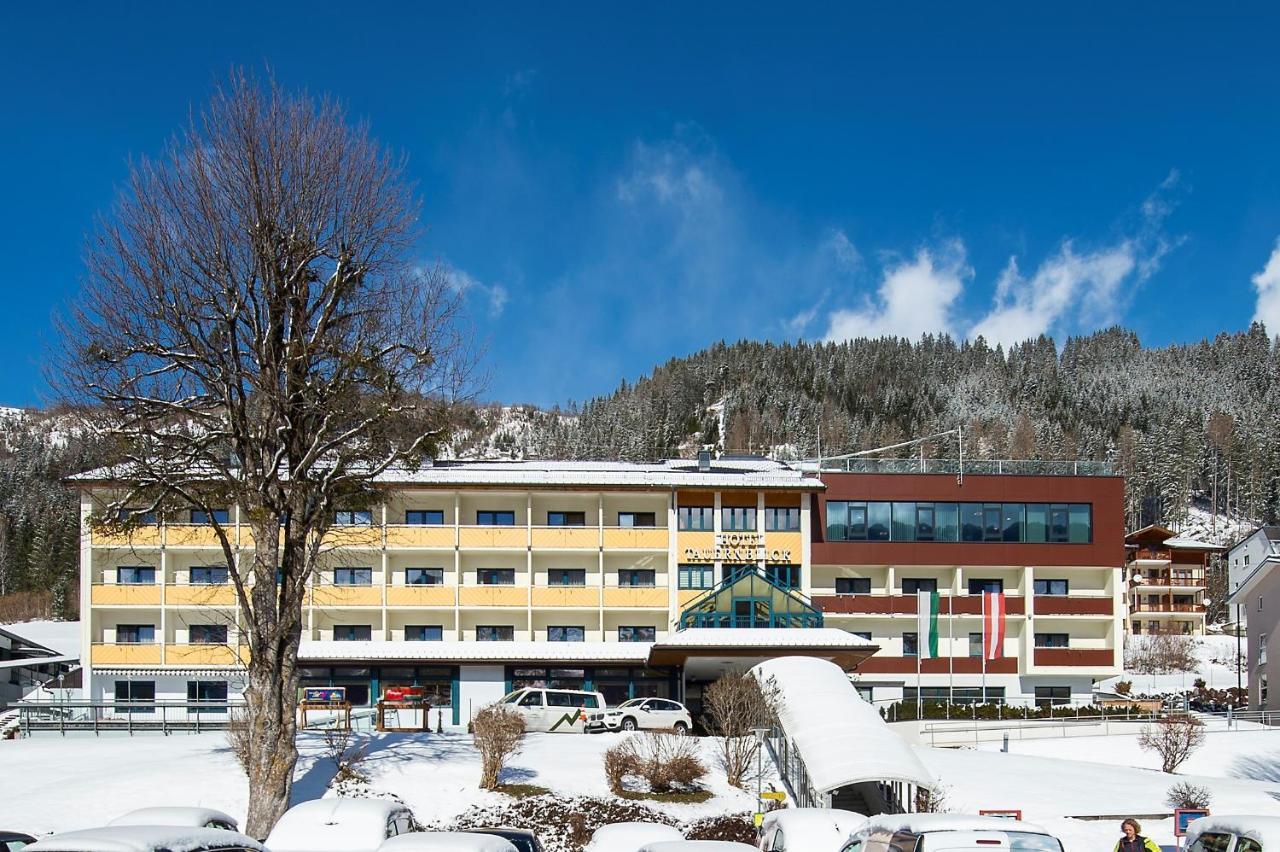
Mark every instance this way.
x=1048 y=535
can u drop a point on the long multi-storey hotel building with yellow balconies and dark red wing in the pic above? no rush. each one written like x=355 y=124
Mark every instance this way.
x=472 y=579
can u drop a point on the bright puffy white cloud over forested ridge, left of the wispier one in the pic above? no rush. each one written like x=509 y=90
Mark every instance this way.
x=916 y=297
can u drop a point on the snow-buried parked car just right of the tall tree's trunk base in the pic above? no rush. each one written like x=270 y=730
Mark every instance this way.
x=340 y=826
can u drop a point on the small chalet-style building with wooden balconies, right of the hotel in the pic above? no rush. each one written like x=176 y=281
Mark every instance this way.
x=1167 y=581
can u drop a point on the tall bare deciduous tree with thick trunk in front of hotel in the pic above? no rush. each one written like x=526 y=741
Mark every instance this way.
x=252 y=333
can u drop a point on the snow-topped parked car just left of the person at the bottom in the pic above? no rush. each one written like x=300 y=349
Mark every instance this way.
x=939 y=832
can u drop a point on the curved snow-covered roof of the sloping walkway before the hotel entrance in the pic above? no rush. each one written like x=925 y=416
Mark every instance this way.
x=840 y=738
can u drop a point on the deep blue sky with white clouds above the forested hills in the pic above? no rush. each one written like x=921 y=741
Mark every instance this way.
x=619 y=186
